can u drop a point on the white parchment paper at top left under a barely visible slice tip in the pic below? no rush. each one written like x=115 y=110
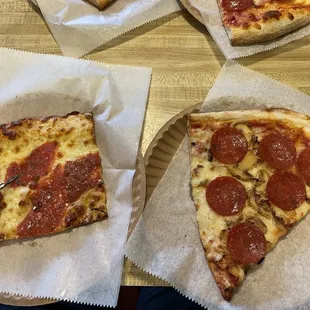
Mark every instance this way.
x=79 y=27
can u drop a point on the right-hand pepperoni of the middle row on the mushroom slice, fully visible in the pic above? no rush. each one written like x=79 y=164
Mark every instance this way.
x=286 y=190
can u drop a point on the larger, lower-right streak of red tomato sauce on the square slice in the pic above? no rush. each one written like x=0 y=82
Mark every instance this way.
x=53 y=194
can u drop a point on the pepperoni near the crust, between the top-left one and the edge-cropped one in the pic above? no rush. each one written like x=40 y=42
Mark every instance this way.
x=278 y=151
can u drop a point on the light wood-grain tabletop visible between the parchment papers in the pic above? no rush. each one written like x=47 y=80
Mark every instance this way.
x=185 y=62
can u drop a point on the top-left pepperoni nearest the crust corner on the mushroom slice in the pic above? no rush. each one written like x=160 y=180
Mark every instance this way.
x=229 y=145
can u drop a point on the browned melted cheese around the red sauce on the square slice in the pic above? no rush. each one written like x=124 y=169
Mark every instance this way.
x=75 y=137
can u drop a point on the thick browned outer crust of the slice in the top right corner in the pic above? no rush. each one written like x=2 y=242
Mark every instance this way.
x=270 y=30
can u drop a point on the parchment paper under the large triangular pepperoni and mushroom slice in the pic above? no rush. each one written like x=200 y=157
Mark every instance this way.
x=166 y=242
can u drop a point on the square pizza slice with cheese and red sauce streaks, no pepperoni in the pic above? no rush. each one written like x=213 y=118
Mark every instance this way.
x=59 y=180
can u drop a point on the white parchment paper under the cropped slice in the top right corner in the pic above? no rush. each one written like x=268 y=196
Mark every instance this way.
x=211 y=16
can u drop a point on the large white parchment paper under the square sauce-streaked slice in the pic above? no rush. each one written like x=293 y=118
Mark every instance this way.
x=83 y=265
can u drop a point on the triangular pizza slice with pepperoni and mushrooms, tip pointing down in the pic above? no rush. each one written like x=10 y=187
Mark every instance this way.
x=250 y=180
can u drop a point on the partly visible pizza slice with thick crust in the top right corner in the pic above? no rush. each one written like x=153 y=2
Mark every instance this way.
x=257 y=21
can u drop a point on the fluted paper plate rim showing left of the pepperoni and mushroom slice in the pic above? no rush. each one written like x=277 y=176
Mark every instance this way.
x=163 y=147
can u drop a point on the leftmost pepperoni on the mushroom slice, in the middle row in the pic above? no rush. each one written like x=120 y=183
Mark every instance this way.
x=226 y=196
